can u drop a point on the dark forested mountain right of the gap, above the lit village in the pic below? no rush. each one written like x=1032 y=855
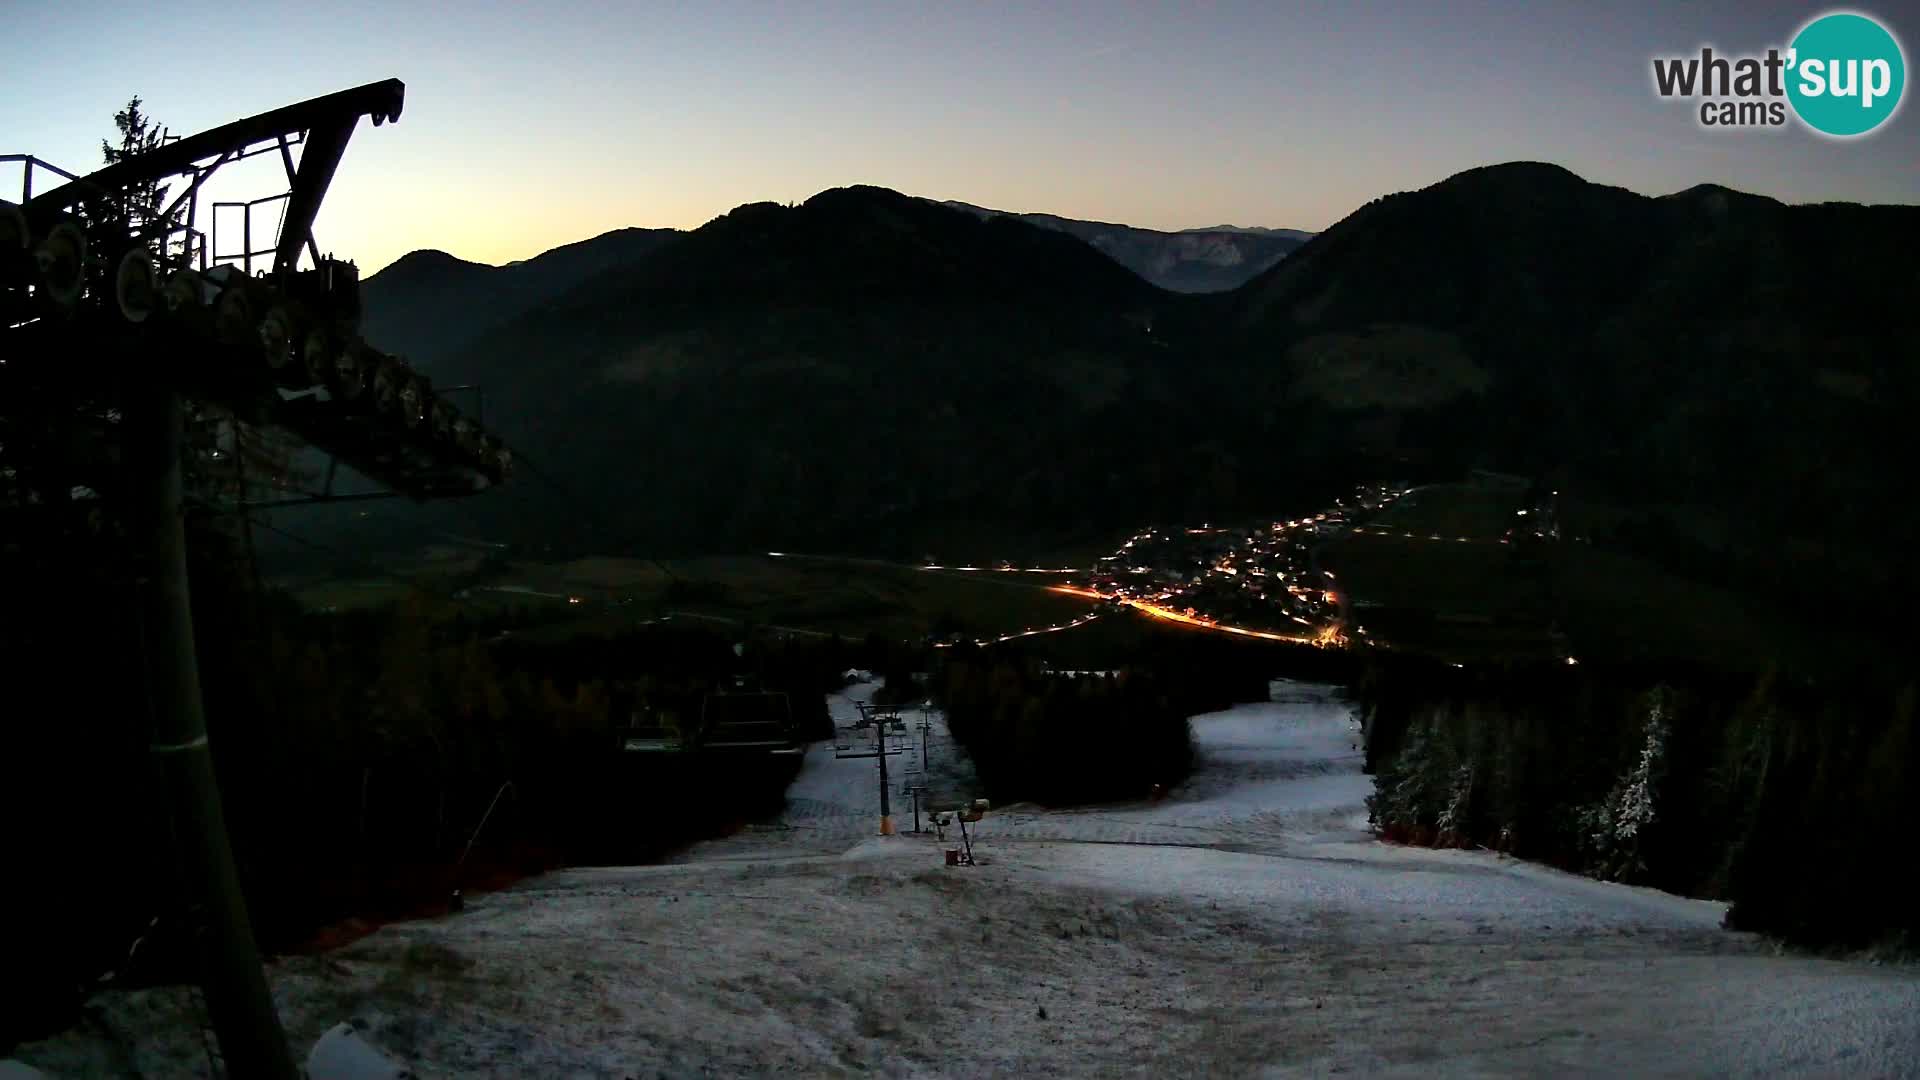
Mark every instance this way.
x=1704 y=349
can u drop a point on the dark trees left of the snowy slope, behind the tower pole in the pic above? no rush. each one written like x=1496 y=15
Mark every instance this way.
x=358 y=754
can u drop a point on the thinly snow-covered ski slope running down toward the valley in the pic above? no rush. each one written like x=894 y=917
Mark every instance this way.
x=1245 y=925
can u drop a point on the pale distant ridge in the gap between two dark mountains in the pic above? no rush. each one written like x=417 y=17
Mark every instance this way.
x=1191 y=260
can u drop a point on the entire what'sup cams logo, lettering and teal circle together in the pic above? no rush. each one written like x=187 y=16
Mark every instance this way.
x=1842 y=76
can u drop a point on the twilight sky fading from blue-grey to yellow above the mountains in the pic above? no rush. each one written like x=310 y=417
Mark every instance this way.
x=533 y=126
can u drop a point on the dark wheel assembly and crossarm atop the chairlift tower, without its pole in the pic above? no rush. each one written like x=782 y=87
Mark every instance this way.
x=85 y=283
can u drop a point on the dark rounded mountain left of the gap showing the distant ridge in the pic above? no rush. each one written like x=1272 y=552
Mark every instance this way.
x=863 y=372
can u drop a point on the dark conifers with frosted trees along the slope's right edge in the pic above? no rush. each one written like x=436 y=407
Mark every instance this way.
x=1790 y=798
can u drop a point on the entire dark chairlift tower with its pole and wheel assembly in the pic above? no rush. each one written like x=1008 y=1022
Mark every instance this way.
x=114 y=314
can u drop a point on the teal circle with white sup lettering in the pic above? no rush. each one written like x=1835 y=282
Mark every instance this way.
x=1846 y=74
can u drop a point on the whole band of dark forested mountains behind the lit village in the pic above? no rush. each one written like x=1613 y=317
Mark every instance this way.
x=873 y=372
